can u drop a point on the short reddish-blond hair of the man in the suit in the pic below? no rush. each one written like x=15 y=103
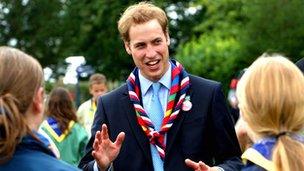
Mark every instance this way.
x=138 y=14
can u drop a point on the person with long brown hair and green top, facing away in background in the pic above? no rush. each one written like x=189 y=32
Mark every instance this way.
x=61 y=125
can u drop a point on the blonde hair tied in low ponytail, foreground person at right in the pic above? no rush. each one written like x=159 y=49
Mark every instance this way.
x=271 y=99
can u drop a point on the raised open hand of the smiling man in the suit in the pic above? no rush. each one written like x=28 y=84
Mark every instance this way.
x=104 y=150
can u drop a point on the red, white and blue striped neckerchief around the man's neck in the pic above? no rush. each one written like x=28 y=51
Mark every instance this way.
x=180 y=84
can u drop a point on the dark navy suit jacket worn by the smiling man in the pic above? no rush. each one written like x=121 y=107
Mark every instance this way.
x=206 y=132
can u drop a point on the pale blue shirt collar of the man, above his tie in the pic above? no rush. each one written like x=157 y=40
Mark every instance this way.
x=145 y=83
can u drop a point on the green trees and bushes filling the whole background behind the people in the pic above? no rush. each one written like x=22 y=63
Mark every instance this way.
x=219 y=39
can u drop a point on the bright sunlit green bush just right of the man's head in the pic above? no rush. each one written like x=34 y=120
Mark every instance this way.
x=211 y=56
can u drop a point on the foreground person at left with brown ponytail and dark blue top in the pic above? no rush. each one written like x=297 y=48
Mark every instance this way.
x=21 y=113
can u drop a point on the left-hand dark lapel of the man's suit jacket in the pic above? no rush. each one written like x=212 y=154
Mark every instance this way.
x=138 y=133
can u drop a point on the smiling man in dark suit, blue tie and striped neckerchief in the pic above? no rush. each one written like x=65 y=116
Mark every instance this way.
x=194 y=122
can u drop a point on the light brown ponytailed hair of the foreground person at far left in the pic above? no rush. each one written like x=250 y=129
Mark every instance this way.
x=21 y=76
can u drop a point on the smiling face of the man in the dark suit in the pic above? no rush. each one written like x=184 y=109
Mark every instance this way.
x=148 y=46
